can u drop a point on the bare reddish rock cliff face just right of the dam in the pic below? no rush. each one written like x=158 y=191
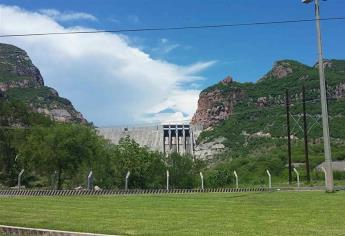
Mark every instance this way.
x=215 y=105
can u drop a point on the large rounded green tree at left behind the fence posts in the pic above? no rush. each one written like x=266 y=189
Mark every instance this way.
x=63 y=148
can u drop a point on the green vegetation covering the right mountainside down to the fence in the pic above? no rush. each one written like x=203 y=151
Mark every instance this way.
x=250 y=153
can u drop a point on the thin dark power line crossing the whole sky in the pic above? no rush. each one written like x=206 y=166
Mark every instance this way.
x=173 y=28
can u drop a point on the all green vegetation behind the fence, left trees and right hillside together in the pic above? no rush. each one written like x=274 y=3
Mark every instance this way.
x=60 y=155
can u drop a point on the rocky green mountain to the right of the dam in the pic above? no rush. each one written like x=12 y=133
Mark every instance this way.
x=237 y=116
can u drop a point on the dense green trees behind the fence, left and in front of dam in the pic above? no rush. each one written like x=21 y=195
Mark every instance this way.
x=60 y=155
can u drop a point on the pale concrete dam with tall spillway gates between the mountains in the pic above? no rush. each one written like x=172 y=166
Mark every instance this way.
x=164 y=138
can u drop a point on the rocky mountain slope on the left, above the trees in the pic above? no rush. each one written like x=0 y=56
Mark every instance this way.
x=21 y=80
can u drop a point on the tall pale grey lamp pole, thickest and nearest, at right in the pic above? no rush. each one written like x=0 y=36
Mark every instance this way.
x=325 y=125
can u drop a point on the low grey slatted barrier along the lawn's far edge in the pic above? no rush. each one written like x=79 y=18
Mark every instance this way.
x=25 y=192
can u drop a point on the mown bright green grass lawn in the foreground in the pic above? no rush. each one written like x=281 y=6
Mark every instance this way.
x=278 y=213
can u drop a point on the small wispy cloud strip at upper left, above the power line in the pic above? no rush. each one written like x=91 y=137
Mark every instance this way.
x=67 y=16
